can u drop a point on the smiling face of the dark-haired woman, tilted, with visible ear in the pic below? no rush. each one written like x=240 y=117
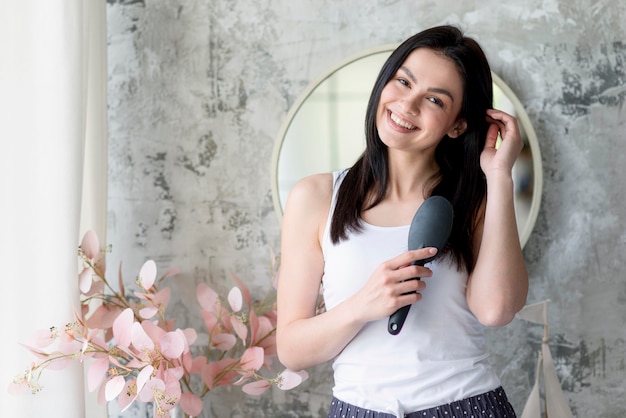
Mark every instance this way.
x=421 y=103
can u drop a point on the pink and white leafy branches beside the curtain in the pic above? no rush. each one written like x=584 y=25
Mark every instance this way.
x=137 y=354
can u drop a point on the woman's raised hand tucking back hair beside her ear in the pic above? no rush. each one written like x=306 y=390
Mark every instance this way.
x=506 y=154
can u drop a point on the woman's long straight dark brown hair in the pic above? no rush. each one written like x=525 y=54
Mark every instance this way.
x=461 y=179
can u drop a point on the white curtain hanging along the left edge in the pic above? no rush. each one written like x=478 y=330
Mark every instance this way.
x=52 y=145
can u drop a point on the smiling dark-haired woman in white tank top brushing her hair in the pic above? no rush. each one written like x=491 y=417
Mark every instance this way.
x=430 y=130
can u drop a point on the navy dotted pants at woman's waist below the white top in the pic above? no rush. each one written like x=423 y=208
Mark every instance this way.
x=492 y=404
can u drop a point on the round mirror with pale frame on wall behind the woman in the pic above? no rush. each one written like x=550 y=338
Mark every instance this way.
x=324 y=131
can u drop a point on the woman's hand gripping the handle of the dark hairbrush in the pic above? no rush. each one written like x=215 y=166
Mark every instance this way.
x=392 y=285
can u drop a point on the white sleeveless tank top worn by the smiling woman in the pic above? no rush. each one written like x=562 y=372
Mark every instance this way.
x=438 y=357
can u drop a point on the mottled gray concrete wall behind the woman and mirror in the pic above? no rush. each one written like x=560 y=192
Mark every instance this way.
x=198 y=91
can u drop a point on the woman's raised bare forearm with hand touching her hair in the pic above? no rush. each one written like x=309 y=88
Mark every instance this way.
x=498 y=286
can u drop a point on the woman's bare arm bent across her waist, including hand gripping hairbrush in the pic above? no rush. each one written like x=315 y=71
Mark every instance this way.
x=304 y=339
